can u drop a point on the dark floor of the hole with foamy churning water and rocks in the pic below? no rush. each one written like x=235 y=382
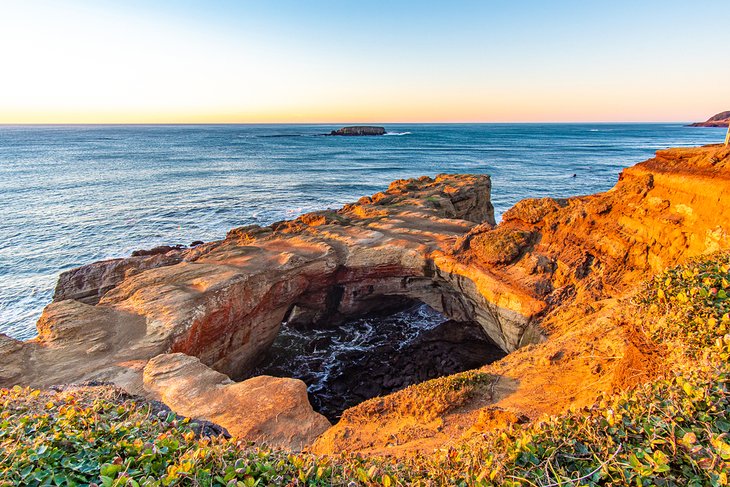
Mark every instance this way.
x=375 y=355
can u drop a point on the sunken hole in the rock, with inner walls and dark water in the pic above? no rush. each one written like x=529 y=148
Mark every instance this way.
x=354 y=333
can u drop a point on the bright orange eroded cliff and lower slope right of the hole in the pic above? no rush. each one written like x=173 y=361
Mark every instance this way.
x=572 y=265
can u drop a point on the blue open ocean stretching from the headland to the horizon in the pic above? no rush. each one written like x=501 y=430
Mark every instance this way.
x=71 y=195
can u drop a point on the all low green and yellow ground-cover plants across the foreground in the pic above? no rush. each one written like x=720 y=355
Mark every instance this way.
x=673 y=431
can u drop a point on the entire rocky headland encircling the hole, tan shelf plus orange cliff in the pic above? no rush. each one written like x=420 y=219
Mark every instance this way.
x=547 y=285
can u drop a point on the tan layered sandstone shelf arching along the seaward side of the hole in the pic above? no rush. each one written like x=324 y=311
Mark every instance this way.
x=223 y=302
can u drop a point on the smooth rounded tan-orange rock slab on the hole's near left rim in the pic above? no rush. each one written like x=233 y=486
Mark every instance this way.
x=263 y=409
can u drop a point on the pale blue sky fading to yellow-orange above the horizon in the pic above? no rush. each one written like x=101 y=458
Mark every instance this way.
x=184 y=61
